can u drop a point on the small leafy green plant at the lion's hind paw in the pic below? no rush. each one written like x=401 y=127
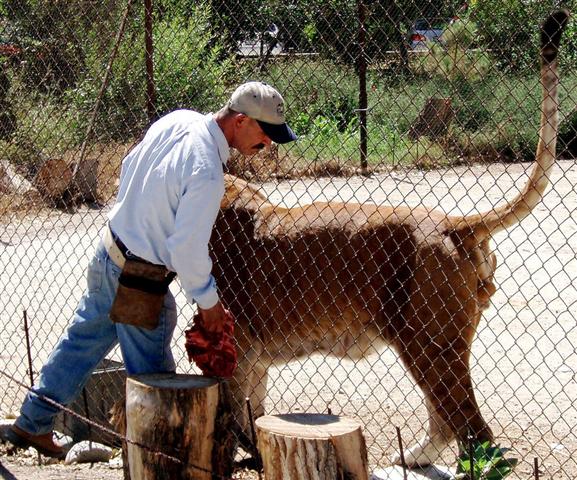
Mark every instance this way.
x=488 y=463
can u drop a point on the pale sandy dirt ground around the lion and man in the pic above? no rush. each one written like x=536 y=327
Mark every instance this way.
x=524 y=358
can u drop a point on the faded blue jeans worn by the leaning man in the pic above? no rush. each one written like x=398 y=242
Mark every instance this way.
x=88 y=339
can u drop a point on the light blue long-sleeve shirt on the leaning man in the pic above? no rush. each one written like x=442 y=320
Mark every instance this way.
x=171 y=186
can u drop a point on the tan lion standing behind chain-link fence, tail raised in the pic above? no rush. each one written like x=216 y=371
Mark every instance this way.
x=341 y=277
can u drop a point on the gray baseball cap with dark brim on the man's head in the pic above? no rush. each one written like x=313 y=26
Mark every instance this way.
x=263 y=103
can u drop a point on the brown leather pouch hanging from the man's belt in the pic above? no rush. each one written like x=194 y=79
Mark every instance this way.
x=140 y=295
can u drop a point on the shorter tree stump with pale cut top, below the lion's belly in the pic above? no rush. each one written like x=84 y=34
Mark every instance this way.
x=307 y=446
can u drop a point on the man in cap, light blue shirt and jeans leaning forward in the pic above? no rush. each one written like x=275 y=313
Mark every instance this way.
x=171 y=186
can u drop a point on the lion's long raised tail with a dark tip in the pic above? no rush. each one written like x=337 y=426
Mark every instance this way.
x=483 y=225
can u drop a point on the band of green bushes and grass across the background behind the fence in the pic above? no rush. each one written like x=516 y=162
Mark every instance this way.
x=496 y=111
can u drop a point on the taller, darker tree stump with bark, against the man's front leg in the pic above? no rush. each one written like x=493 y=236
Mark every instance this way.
x=175 y=415
